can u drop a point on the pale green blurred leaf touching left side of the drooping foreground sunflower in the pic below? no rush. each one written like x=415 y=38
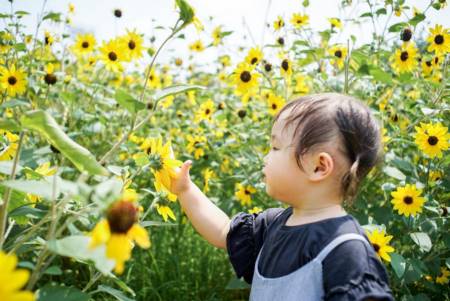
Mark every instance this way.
x=77 y=247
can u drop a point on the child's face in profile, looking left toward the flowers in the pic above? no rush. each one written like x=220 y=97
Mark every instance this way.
x=283 y=177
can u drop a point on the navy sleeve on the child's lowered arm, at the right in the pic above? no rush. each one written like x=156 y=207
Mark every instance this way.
x=352 y=272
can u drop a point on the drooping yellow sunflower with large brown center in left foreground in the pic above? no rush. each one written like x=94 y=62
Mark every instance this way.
x=119 y=230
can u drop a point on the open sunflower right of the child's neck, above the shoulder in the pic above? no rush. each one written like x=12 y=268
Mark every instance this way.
x=407 y=200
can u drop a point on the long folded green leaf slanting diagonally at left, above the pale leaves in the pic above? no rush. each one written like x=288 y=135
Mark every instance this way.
x=43 y=123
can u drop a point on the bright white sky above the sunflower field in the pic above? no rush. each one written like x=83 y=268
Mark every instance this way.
x=243 y=17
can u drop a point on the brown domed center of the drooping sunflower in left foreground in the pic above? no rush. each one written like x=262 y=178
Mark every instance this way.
x=122 y=216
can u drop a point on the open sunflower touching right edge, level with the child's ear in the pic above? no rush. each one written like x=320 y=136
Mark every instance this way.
x=432 y=139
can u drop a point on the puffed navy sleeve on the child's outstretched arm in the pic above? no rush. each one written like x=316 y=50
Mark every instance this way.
x=245 y=238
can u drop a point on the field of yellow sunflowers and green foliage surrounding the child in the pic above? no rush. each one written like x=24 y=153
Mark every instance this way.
x=91 y=132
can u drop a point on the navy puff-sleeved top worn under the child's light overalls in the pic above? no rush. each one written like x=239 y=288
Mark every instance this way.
x=351 y=271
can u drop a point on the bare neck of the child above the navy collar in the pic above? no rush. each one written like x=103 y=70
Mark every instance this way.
x=304 y=215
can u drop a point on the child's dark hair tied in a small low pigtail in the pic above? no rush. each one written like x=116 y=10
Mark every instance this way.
x=320 y=118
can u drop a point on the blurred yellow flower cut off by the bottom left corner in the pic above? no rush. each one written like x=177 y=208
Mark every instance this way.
x=13 y=279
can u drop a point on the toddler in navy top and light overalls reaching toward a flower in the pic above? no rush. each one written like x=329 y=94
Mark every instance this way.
x=323 y=145
